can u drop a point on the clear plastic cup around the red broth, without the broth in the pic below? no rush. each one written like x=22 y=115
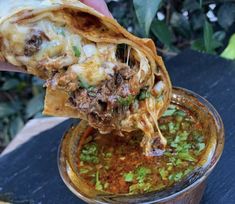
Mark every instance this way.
x=188 y=191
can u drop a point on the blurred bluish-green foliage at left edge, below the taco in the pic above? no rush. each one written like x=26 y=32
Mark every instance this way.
x=21 y=98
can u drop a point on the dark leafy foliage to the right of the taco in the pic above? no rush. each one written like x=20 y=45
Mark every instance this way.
x=202 y=25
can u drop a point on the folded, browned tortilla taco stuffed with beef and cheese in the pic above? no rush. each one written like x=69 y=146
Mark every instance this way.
x=94 y=68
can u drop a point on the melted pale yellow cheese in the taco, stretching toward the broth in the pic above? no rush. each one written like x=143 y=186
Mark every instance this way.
x=95 y=63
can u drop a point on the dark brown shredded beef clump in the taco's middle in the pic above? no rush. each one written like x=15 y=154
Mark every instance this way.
x=101 y=104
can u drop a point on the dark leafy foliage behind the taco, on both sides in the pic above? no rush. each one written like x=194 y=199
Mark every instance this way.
x=205 y=26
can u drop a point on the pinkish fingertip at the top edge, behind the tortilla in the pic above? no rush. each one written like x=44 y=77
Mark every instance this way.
x=98 y=5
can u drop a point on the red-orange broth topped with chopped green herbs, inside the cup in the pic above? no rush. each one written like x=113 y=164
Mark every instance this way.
x=115 y=164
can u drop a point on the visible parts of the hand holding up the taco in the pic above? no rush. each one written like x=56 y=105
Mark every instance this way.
x=98 y=5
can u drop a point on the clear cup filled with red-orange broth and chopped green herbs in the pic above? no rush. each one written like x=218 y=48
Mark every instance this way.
x=112 y=169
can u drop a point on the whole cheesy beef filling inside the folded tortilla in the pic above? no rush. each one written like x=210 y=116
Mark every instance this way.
x=112 y=85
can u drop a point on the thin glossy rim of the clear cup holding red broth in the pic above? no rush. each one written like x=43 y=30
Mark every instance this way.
x=219 y=146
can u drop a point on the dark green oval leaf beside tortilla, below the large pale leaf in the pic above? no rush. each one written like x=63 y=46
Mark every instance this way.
x=162 y=32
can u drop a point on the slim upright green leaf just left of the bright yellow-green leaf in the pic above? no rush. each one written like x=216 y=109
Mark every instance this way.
x=208 y=37
